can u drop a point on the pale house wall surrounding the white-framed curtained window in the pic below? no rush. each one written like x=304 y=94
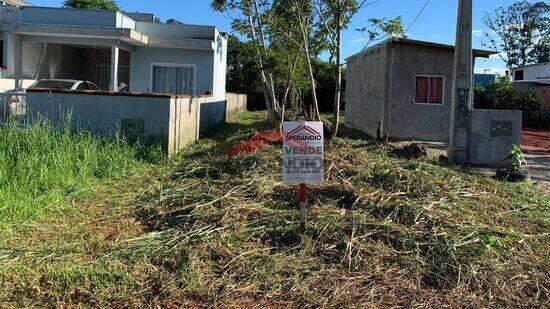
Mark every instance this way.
x=144 y=57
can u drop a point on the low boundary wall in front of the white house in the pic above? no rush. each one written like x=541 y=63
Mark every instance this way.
x=173 y=121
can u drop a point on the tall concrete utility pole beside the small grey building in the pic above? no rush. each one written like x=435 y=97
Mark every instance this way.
x=461 y=103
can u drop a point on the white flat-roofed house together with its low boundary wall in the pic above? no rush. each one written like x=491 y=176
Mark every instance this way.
x=173 y=75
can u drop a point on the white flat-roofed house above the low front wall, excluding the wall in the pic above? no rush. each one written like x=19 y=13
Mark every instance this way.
x=112 y=49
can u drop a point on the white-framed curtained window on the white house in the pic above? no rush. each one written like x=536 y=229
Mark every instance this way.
x=173 y=79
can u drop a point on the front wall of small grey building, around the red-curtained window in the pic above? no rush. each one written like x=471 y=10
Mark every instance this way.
x=409 y=120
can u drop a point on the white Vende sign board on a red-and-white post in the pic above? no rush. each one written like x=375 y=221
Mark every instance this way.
x=303 y=146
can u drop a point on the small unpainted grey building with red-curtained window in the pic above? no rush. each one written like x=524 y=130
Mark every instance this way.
x=405 y=86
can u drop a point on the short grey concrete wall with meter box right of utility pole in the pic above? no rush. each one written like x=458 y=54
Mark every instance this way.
x=493 y=133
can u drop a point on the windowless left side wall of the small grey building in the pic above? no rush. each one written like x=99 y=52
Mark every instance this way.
x=366 y=89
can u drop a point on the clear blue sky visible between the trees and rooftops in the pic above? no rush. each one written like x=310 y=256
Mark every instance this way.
x=437 y=23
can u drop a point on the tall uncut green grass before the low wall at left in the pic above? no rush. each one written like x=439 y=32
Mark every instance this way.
x=40 y=167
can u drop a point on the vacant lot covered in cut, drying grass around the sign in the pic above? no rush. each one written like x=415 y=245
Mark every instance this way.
x=207 y=230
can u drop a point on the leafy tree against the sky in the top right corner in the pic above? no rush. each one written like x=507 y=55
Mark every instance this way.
x=521 y=32
